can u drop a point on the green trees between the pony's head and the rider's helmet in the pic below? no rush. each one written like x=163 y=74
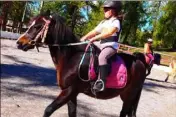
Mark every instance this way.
x=71 y=11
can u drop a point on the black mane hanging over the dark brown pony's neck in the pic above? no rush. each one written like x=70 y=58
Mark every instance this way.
x=59 y=33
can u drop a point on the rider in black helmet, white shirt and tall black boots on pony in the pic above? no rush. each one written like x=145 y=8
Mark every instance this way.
x=105 y=37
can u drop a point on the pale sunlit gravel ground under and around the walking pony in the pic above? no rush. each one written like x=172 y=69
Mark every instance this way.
x=28 y=85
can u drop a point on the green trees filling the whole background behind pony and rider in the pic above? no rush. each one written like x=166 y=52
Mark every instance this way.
x=159 y=15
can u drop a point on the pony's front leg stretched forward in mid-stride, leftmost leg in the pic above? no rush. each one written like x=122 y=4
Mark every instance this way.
x=65 y=96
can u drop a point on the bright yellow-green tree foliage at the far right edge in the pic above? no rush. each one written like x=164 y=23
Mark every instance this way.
x=165 y=28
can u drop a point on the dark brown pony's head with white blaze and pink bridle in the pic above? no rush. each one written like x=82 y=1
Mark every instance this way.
x=36 y=32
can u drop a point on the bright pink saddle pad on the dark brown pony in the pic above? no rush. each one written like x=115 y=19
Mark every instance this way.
x=118 y=76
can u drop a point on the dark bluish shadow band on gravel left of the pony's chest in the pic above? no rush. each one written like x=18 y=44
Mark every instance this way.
x=36 y=74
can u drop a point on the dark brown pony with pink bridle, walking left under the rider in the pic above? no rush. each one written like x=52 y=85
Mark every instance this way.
x=66 y=54
